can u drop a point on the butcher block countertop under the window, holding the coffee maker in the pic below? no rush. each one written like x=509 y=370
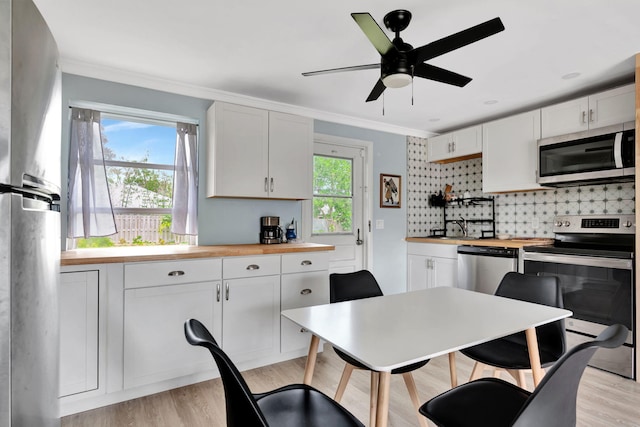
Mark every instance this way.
x=171 y=252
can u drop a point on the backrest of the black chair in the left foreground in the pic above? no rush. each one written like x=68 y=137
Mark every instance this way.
x=242 y=409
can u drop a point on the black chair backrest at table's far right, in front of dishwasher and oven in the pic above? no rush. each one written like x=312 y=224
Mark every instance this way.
x=542 y=290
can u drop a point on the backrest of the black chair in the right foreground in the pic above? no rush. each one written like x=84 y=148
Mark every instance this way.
x=553 y=402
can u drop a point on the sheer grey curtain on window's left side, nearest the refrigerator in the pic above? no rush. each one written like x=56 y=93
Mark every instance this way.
x=89 y=204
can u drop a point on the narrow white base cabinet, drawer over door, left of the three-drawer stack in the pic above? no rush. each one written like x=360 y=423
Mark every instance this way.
x=251 y=307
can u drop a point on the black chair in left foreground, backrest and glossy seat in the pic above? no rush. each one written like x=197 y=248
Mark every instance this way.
x=295 y=405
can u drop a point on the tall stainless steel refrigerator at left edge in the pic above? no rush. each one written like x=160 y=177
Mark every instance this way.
x=30 y=125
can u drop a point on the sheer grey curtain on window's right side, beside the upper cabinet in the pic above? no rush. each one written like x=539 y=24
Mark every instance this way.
x=185 y=181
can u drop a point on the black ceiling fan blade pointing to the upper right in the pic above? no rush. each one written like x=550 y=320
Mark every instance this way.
x=458 y=40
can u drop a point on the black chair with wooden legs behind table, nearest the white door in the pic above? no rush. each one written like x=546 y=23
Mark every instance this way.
x=358 y=285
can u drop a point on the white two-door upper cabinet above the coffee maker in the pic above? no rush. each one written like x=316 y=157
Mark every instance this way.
x=254 y=153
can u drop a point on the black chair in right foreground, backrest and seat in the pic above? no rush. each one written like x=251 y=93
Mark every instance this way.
x=496 y=403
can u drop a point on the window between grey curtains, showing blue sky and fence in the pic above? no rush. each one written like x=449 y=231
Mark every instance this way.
x=139 y=159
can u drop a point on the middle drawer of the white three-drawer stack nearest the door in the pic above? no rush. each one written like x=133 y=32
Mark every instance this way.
x=304 y=289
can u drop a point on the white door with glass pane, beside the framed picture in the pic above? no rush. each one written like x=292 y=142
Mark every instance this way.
x=337 y=205
